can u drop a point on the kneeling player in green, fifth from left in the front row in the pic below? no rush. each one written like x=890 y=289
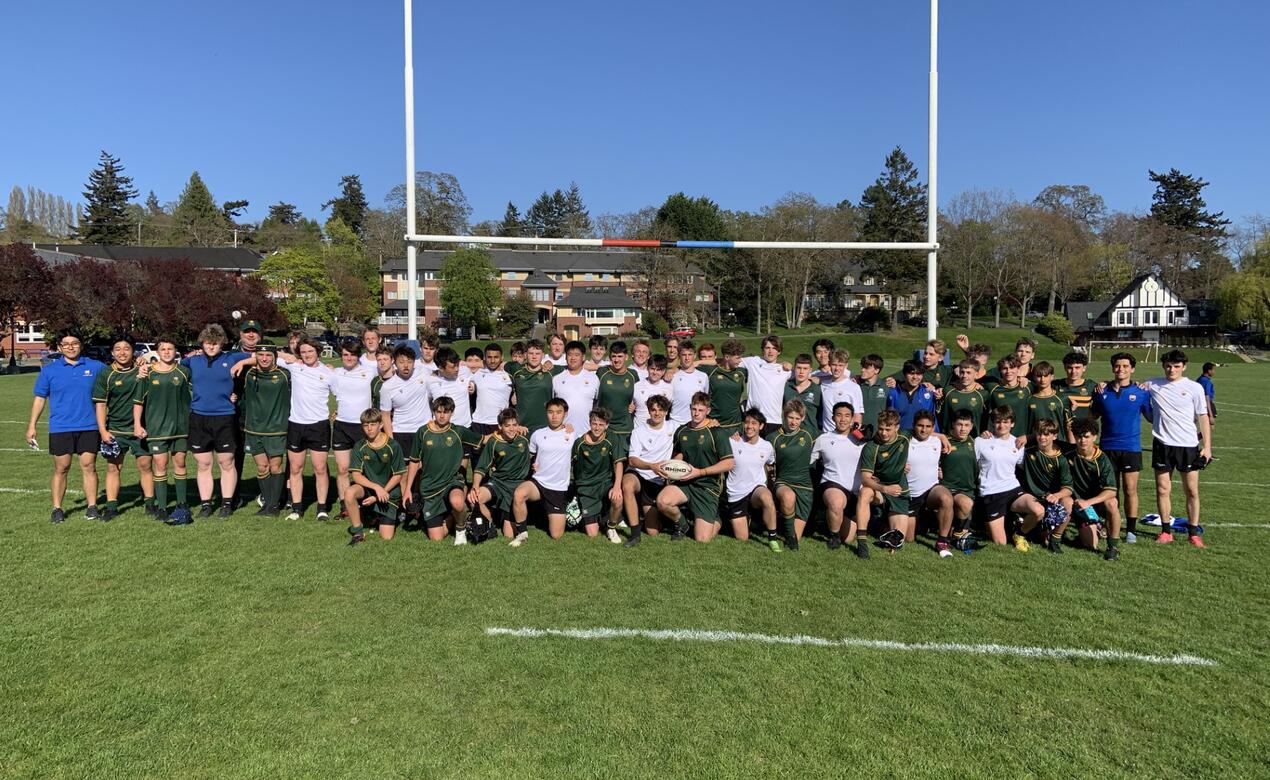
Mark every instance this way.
x=599 y=462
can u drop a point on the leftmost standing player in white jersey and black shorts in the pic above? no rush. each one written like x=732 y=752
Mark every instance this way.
x=309 y=425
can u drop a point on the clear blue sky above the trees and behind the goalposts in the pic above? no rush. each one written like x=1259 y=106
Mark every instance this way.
x=744 y=101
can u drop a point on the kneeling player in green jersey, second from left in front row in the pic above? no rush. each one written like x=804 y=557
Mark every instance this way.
x=439 y=464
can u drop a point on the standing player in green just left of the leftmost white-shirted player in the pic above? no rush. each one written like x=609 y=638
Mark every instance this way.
x=266 y=410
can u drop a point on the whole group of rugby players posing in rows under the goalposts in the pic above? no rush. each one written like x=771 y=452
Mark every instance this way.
x=589 y=435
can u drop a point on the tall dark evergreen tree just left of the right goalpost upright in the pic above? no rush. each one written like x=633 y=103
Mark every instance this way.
x=893 y=209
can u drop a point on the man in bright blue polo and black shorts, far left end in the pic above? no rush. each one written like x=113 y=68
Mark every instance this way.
x=67 y=386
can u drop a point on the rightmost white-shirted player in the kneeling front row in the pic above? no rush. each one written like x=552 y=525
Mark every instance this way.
x=1000 y=494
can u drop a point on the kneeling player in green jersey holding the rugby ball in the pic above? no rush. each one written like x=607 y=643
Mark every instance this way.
x=708 y=452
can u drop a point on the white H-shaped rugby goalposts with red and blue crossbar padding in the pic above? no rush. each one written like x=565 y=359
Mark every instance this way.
x=930 y=246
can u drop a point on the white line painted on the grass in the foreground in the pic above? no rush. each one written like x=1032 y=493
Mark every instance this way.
x=849 y=642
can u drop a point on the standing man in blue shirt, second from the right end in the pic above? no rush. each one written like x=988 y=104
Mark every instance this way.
x=1122 y=406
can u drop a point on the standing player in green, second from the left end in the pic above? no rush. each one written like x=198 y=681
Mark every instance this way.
x=114 y=392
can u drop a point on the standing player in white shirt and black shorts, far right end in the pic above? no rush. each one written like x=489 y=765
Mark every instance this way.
x=1183 y=441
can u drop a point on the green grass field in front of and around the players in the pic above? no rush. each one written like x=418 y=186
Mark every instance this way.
x=264 y=649
